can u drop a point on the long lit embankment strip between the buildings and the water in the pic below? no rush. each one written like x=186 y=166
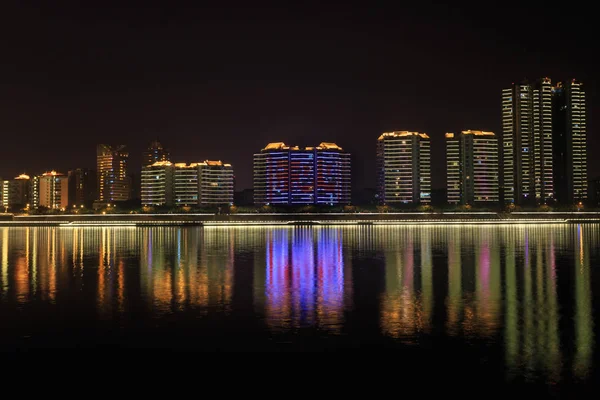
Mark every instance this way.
x=301 y=219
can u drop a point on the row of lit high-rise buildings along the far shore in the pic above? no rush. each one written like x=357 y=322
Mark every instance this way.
x=541 y=159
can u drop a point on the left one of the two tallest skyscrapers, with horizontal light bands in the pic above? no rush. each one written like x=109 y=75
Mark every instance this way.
x=527 y=161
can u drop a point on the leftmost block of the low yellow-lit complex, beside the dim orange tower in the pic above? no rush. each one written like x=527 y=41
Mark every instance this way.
x=157 y=184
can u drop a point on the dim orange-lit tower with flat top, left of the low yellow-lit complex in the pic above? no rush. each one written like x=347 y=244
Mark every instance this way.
x=113 y=181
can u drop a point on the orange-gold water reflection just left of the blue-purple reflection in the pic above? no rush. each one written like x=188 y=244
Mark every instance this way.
x=182 y=268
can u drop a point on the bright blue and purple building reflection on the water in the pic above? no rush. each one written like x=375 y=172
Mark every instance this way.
x=304 y=282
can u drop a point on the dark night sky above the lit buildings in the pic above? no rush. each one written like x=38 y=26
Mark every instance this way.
x=220 y=83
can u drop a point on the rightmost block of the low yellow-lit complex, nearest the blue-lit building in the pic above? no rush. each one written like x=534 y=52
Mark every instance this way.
x=215 y=182
